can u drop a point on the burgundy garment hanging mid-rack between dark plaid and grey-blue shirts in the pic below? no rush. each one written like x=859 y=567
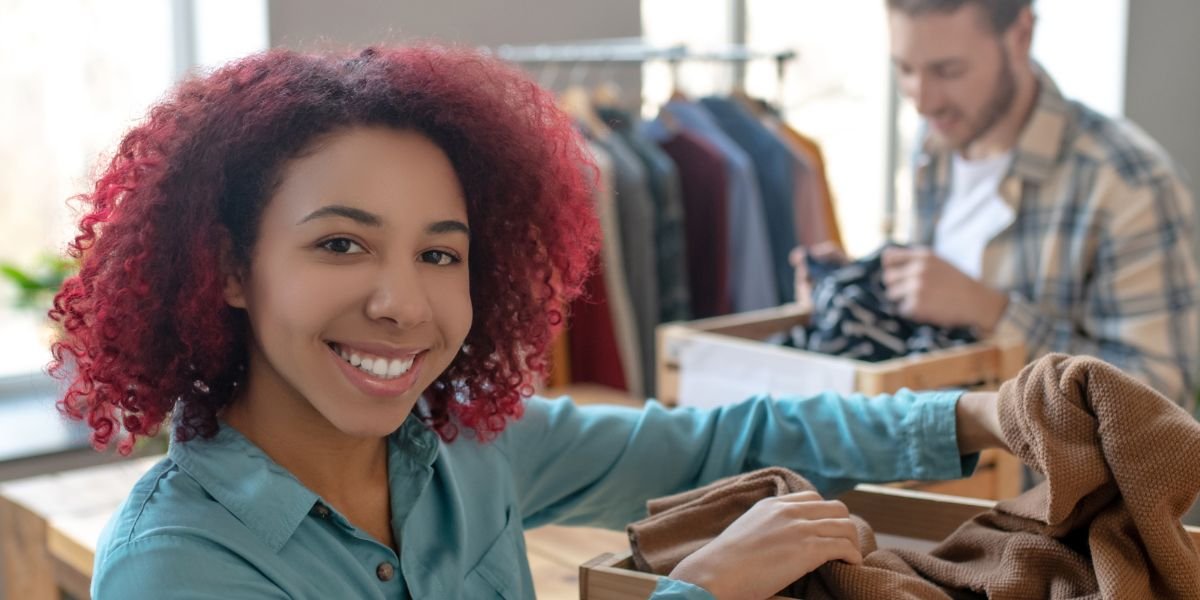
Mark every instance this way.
x=706 y=227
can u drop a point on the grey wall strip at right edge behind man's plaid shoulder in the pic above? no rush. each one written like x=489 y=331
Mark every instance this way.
x=1163 y=79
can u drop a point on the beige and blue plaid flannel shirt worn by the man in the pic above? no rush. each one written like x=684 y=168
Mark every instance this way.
x=1099 y=259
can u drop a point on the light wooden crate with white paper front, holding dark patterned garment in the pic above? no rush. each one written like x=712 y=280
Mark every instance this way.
x=982 y=365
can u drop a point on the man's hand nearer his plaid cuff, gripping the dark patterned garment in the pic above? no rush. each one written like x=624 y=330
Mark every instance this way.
x=929 y=290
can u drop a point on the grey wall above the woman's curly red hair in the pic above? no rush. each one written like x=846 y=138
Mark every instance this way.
x=311 y=25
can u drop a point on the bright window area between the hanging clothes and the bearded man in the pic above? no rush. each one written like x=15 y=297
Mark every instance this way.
x=836 y=92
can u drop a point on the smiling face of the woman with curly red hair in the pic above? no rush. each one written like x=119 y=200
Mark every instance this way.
x=358 y=292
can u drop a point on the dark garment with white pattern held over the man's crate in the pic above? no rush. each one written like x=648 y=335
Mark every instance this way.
x=854 y=319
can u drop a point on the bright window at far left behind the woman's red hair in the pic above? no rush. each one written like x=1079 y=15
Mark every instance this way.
x=75 y=75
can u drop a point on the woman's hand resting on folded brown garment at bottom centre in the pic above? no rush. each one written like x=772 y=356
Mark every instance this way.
x=776 y=543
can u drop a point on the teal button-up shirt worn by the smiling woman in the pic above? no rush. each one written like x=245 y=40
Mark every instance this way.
x=218 y=519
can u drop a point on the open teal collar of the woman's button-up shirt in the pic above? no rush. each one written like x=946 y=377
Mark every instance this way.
x=268 y=499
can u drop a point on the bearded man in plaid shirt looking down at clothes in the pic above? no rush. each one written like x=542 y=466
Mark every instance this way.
x=1036 y=217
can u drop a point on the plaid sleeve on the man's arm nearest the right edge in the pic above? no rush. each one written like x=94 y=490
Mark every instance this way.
x=1139 y=309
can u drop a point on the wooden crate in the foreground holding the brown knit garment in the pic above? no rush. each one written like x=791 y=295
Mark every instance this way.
x=901 y=519
